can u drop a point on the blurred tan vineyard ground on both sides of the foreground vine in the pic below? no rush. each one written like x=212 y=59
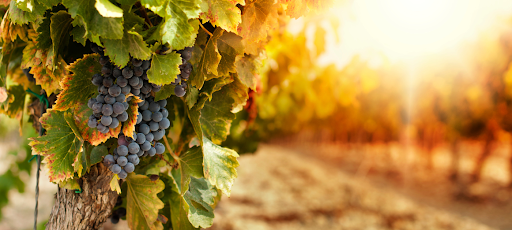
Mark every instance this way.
x=288 y=185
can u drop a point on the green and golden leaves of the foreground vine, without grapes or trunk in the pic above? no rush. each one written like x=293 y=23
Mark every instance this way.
x=50 y=40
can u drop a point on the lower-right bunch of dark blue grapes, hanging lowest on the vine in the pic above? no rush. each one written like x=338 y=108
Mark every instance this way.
x=151 y=124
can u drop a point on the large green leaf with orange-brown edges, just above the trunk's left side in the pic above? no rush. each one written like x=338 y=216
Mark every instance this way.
x=59 y=146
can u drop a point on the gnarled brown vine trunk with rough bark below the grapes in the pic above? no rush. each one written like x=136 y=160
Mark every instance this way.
x=86 y=210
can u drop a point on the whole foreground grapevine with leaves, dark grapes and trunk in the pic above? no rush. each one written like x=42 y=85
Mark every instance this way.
x=127 y=75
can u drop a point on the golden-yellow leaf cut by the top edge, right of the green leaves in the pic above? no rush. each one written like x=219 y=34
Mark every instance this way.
x=222 y=13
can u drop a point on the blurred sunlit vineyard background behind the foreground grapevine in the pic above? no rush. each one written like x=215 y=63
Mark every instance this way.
x=376 y=114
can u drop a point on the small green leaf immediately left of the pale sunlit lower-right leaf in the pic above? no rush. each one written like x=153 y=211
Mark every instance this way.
x=190 y=164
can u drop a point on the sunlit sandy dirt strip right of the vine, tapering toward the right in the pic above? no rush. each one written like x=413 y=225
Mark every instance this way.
x=282 y=189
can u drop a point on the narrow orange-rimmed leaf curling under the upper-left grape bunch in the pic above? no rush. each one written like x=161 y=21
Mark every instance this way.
x=92 y=135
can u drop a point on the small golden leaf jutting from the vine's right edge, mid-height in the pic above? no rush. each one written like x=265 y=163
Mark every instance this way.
x=249 y=69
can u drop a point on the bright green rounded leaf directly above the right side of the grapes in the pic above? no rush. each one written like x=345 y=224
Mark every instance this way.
x=164 y=68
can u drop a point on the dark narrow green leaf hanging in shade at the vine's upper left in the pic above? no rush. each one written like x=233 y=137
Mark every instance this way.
x=60 y=27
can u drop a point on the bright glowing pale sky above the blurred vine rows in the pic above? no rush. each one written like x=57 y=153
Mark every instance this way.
x=404 y=30
